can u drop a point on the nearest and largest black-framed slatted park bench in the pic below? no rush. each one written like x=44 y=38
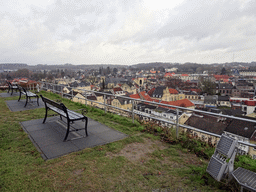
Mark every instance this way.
x=63 y=111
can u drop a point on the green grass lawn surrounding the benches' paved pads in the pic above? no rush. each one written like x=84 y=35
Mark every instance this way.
x=140 y=162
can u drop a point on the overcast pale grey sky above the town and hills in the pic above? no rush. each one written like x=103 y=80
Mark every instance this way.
x=127 y=31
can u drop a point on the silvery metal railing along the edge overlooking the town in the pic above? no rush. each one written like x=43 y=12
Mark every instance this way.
x=53 y=88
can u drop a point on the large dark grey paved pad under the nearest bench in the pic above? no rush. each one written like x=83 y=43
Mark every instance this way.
x=48 y=137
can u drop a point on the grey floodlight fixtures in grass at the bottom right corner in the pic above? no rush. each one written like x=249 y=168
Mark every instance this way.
x=221 y=164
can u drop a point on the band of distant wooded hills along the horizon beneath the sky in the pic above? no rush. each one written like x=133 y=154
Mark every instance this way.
x=182 y=68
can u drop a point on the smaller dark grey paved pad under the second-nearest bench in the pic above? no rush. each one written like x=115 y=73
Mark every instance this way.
x=15 y=105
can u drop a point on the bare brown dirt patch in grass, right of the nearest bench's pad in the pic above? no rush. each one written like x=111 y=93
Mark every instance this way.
x=136 y=151
